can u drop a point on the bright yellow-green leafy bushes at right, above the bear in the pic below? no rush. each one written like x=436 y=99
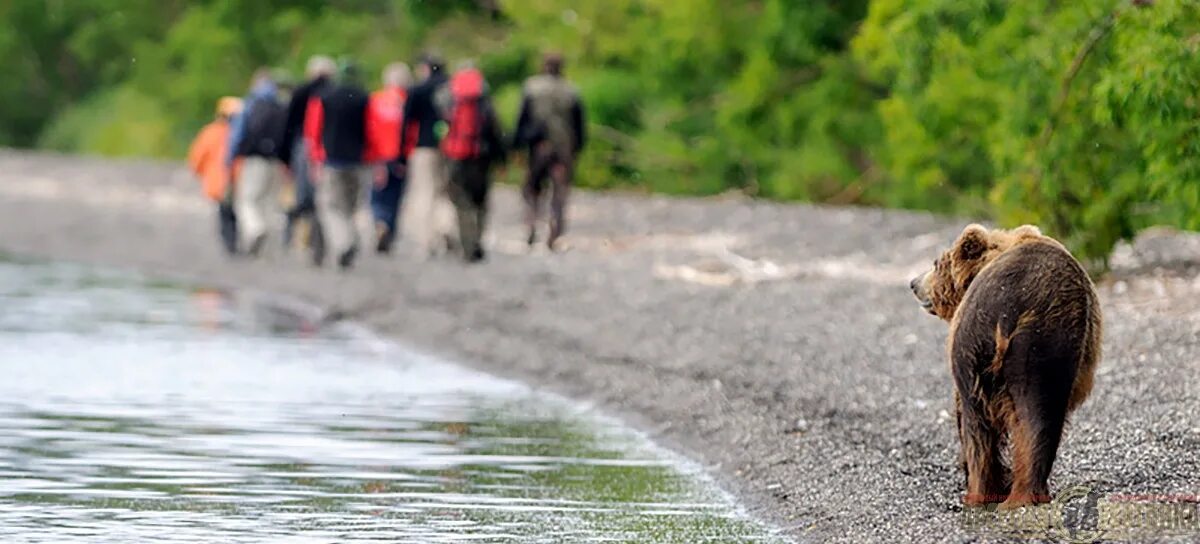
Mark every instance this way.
x=1081 y=117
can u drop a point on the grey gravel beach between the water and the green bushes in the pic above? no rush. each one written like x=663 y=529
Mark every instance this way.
x=776 y=345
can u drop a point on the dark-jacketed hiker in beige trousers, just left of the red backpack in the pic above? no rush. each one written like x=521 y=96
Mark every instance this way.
x=428 y=213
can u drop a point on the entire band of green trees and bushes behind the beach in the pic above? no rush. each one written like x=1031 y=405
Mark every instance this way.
x=1079 y=117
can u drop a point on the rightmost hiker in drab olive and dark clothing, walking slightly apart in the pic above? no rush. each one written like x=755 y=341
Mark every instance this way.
x=551 y=125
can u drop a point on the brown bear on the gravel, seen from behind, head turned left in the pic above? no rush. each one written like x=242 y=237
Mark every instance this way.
x=1025 y=339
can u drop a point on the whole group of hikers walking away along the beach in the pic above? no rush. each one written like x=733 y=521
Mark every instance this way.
x=425 y=148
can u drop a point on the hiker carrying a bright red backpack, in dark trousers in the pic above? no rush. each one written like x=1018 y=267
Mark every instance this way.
x=471 y=146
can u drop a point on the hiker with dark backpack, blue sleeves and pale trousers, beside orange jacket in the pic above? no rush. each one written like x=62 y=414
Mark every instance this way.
x=256 y=138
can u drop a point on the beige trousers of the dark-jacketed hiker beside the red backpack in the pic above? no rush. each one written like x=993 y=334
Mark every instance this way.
x=428 y=216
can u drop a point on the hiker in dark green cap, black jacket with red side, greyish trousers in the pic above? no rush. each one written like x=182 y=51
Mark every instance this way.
x=337 y=129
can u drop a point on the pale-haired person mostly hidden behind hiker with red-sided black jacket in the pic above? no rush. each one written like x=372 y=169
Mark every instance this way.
x=320 y=71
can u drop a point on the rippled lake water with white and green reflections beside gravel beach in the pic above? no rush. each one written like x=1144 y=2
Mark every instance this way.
x=142 y=411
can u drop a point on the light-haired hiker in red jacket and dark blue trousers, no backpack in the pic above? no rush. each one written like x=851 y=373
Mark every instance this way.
x=386 y=111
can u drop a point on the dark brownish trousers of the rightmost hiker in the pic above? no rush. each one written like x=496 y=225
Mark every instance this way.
x=545 y=165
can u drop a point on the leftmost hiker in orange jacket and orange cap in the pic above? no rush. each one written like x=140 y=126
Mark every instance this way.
x=207 y=159
